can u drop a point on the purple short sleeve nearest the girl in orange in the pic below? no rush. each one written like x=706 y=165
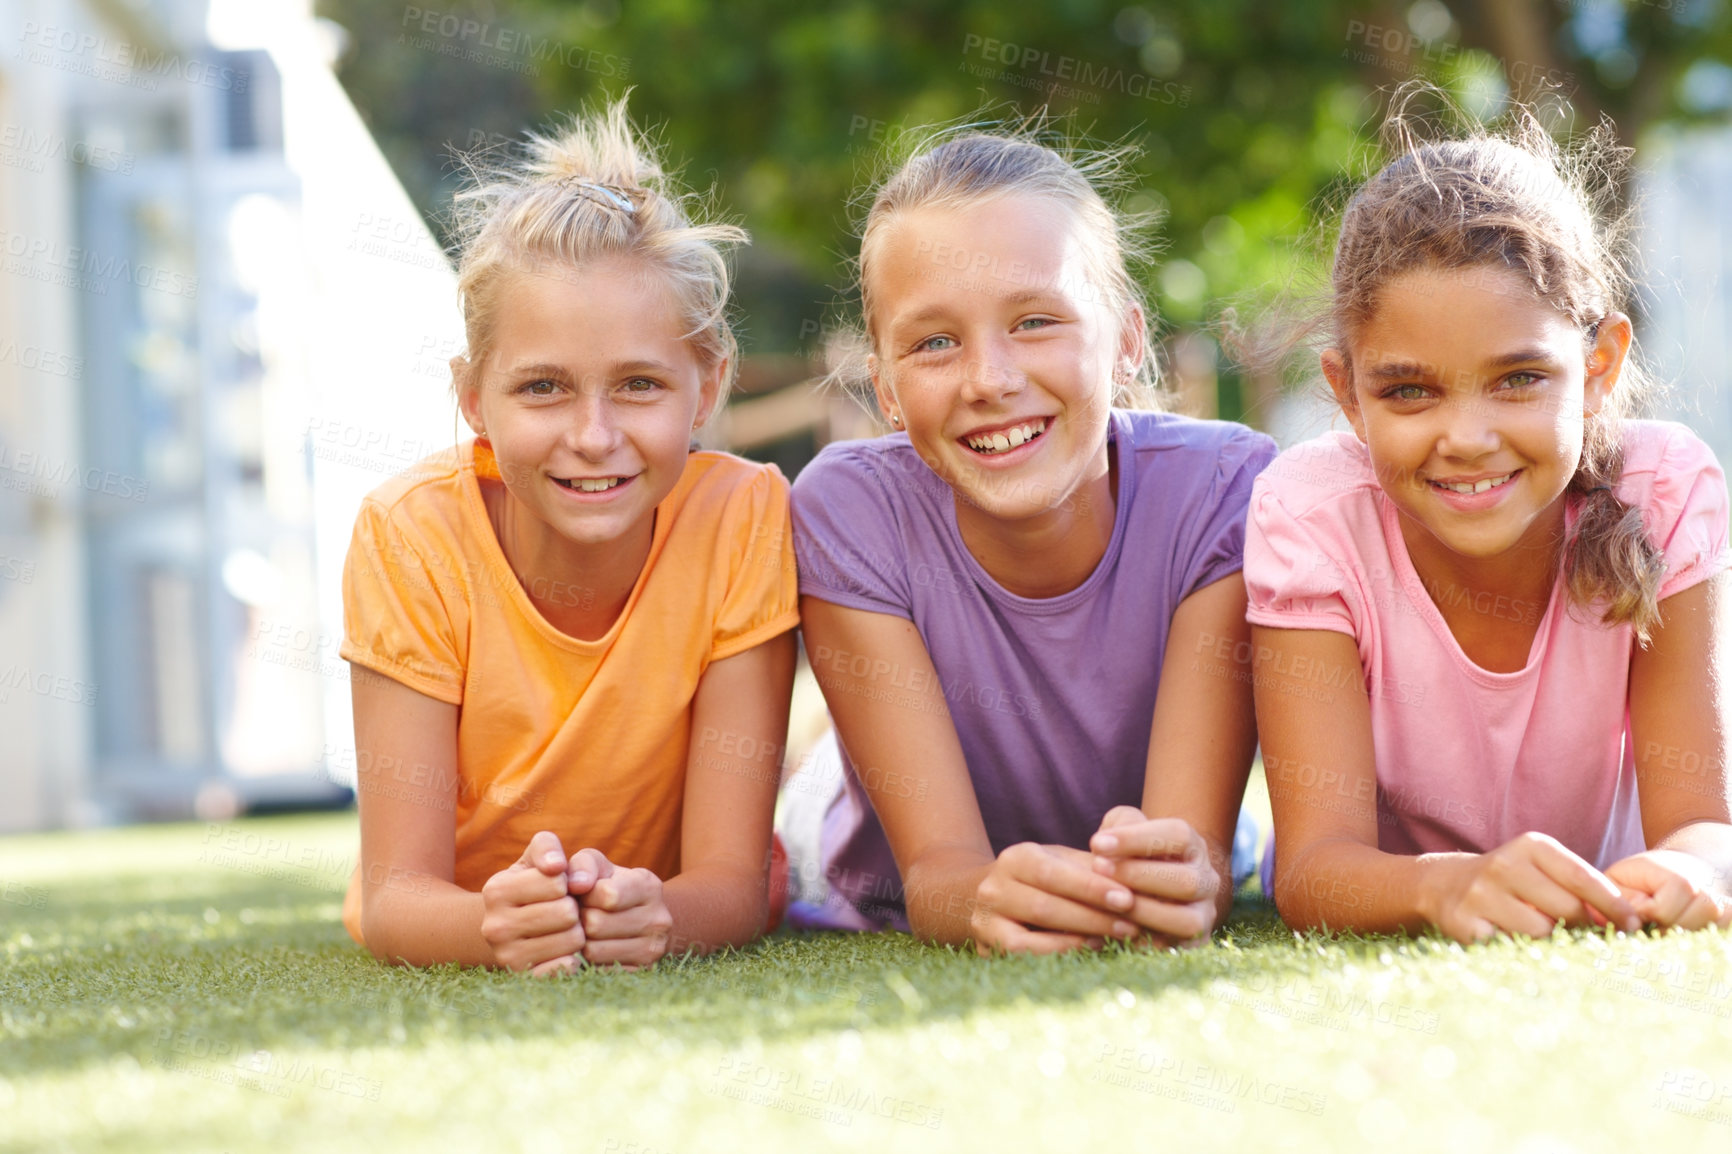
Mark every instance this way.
x=846 y=535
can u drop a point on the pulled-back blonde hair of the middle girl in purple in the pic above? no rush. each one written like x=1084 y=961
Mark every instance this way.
x=960 y=167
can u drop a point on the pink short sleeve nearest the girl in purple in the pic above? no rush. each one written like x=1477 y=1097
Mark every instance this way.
x=1293 y=581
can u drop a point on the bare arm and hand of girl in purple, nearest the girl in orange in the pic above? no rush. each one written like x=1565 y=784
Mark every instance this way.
x=896 y=727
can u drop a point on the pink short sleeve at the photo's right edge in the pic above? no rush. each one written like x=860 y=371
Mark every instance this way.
x=1688 y=512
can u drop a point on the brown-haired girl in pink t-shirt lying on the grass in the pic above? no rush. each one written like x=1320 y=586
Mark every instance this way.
x=1485 y=635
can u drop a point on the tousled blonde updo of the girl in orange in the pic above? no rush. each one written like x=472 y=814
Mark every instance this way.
x=595 y=190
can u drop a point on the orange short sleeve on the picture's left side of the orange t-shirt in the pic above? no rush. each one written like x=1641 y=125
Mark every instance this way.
x=396 y=613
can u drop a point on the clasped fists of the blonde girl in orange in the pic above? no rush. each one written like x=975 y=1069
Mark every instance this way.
x=550 y=914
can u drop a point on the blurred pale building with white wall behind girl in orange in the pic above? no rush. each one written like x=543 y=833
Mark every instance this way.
x=221 y=325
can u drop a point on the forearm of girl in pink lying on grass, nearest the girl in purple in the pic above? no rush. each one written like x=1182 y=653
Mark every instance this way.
x=1345 y=885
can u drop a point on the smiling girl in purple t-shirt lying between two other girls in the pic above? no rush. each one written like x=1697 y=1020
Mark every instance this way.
x=1024 y=609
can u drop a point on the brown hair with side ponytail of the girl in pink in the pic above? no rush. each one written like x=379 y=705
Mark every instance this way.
x=1551 y=214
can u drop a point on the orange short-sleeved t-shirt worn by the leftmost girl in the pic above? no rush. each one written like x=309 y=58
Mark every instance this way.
x=586 y=739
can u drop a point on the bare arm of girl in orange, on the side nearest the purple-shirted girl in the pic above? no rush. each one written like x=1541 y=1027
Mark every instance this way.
x=739 y=725
